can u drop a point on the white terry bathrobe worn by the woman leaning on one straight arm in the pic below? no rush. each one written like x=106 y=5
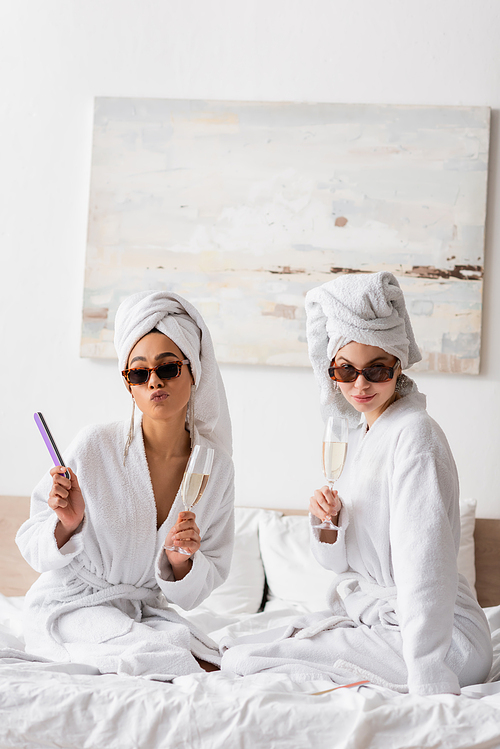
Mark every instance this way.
x=401 y=616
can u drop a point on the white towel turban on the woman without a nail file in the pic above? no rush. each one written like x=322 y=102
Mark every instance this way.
x=365 y=308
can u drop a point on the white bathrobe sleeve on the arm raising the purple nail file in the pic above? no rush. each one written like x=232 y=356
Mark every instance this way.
x=36 y=539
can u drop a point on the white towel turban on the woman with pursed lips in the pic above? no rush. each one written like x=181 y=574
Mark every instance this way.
x=176 y=318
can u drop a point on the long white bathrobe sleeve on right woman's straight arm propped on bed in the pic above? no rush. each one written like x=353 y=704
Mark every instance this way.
x=424 y=537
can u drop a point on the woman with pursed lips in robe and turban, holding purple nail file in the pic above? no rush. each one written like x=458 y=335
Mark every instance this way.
x=100 y=538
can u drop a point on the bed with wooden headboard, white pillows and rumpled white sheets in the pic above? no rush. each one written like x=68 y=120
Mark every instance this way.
x=273 y=576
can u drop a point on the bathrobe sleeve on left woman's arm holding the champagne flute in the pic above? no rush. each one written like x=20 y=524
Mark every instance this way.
x=212 y=561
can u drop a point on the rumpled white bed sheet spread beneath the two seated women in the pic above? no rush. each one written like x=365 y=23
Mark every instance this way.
x=49 y=705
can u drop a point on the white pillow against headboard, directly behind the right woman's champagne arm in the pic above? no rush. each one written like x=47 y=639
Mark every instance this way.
x=293 y=574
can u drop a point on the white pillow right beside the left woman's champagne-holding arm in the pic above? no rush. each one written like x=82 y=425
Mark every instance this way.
x=243 y=590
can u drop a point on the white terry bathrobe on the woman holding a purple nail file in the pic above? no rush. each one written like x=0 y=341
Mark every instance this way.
x=103 y=598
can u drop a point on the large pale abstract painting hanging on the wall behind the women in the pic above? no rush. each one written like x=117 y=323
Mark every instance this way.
x=242 y=207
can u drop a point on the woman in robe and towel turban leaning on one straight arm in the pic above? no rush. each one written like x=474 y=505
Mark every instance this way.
x=399 y=614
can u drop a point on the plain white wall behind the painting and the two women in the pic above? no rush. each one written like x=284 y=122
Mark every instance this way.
x=57 y=55
